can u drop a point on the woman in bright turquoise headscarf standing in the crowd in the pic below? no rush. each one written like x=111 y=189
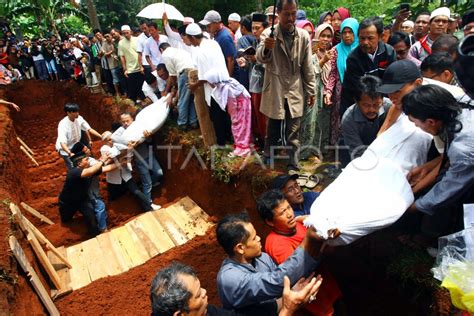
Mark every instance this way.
x=332 y=91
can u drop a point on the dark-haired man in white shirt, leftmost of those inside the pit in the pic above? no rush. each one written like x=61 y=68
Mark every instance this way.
x=70 y=131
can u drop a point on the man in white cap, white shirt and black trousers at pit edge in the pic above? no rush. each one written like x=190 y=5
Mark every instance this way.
x=209 y=56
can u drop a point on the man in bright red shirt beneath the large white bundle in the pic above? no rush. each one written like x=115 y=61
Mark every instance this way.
x=286 y=235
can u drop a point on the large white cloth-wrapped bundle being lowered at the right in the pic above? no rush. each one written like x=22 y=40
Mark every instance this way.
x=372 y=192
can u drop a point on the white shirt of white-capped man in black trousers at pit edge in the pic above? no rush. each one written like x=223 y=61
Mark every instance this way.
x=208 y=56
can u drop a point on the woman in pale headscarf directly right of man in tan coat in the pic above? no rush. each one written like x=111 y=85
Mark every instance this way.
x=314 y=134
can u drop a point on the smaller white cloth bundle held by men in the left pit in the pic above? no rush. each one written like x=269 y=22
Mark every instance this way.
x=149 y=119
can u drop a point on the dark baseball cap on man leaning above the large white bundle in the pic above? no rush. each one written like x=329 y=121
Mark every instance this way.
x=397 y=75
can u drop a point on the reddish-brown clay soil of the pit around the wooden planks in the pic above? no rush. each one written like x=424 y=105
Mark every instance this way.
x=21 y=180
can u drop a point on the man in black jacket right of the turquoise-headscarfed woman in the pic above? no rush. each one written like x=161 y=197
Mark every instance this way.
x=371 y=57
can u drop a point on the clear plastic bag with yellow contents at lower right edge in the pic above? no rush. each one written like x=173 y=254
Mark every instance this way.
x=455 y=267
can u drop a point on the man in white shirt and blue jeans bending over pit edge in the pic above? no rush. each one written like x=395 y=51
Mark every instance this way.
x=178 y=63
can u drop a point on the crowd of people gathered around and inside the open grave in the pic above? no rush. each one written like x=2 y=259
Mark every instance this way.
x=282 y=85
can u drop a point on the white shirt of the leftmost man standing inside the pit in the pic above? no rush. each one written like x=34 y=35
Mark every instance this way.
x=70 y=132
